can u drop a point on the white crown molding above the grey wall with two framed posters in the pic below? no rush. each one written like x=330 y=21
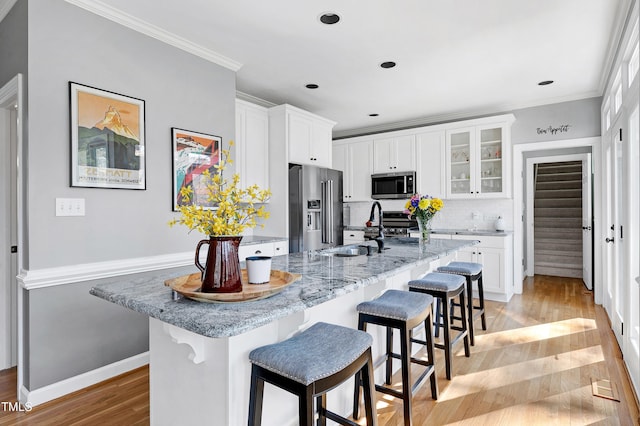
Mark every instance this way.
x=146 y=28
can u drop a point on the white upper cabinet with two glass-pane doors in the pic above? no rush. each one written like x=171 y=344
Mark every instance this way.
x=478 y=161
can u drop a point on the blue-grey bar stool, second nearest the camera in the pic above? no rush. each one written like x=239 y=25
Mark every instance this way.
x=401 y=310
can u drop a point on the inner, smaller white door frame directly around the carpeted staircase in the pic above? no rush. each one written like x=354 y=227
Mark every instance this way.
x=585 y=158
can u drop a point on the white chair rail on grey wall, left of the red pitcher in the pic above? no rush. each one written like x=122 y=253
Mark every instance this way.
x=49 y=277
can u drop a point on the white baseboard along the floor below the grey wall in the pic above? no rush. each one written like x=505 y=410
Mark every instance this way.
x=72 y=384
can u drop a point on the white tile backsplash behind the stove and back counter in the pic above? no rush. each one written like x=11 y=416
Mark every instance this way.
x=456 y=214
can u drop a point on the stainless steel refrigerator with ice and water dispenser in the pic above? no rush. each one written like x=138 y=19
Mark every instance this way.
x=315 y=208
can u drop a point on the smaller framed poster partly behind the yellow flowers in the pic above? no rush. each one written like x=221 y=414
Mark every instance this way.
x=193 y=153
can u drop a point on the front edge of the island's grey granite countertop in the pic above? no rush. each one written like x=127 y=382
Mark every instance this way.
x=351 y=285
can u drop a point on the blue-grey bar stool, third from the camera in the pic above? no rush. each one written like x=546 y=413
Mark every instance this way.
x=445 y=288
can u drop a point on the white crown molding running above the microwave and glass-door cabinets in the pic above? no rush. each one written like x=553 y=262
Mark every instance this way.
x=461 y=115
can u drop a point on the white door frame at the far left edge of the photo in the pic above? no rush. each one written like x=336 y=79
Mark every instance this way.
x=12 y=98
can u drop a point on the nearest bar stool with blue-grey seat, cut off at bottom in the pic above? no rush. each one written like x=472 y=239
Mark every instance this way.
x=310 y=364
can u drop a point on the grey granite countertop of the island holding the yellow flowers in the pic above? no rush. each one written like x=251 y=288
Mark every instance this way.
x=323 y=278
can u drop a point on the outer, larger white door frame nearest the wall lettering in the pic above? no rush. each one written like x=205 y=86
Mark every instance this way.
x=519 y=212
